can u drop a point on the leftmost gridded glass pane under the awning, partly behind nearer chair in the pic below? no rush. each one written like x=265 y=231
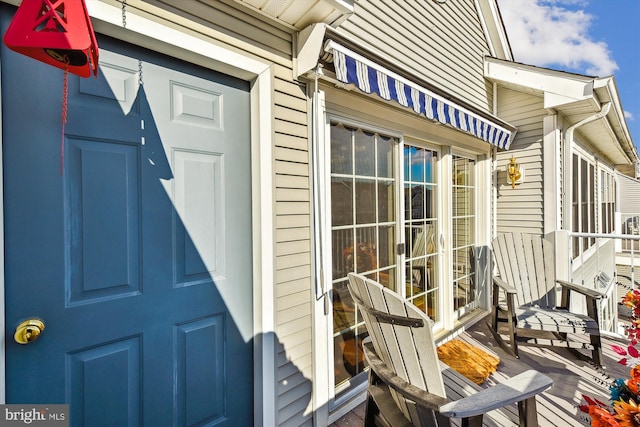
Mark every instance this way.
x=363 y=224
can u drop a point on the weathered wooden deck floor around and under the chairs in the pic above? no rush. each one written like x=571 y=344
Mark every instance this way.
x=572 y=378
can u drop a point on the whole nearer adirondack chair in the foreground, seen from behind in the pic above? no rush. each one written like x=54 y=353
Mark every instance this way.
x=406 y=385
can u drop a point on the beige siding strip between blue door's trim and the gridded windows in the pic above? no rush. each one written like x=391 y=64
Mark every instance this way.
x=259 y=37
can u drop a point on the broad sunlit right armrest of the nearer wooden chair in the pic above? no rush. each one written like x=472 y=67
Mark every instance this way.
x=516 y=389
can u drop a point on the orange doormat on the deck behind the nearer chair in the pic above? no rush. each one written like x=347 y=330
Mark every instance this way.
x=469 y=361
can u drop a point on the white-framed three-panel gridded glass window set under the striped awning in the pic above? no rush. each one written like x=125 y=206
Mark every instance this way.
x=384 y=213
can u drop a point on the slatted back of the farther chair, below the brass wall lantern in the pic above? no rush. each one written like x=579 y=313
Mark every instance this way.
x=526 y=262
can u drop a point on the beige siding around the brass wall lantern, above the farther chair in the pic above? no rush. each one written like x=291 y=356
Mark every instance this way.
x=521 y=209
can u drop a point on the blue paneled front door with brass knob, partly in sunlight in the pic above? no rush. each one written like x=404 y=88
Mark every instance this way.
x=137 y=257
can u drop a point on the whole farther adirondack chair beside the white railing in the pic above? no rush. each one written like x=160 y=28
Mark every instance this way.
x=526 y=267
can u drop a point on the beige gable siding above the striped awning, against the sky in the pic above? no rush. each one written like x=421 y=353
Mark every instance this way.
x=443 y=45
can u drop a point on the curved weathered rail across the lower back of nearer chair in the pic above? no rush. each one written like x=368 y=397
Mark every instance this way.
x=420 y=397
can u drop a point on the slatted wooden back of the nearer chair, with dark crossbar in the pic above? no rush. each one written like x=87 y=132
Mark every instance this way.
x=410 y=351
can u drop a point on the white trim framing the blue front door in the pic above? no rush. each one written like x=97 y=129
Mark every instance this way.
x=156 y=35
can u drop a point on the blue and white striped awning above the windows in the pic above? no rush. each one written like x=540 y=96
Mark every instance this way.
x=369 y=77
